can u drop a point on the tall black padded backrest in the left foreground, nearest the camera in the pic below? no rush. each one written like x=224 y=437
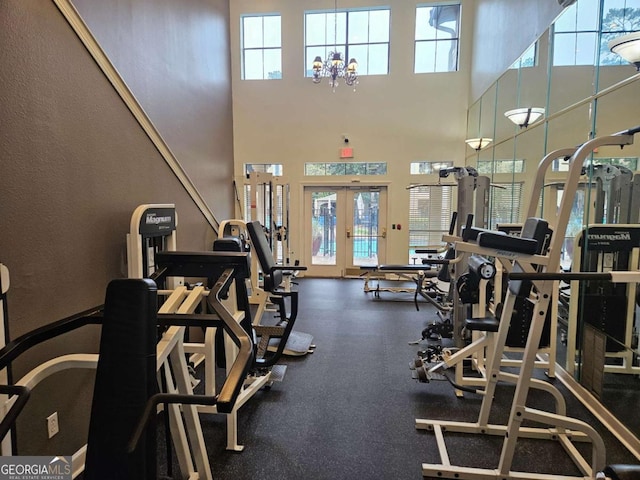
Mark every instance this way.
x=125 y=379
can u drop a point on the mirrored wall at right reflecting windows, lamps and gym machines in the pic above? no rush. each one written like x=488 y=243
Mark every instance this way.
x=584 y=91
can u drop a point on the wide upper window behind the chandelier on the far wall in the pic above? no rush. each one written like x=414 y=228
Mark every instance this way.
x=359 y=34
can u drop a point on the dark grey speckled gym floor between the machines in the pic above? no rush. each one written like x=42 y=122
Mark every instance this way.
x=348 y=410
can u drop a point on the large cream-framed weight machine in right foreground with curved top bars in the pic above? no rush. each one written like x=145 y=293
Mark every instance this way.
x=518 y=255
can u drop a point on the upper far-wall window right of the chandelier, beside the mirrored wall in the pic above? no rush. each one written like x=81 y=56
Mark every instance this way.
x=437 y=38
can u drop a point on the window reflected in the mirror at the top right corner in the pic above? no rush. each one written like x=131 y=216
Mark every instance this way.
x=582 y=32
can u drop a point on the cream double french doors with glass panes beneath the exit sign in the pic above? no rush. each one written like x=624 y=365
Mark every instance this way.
x=345 y=228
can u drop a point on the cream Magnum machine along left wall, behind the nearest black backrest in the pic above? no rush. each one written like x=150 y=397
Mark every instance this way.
x=152 y=238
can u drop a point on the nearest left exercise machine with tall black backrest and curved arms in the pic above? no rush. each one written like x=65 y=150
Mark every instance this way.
x=122 y=437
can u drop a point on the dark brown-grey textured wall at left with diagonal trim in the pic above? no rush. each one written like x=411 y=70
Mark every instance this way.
x=74 y=164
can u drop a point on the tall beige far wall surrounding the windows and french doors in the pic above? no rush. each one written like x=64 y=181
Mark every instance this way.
x=398 y=118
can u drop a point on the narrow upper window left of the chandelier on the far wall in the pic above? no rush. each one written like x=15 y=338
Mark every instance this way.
x=261 y=47
